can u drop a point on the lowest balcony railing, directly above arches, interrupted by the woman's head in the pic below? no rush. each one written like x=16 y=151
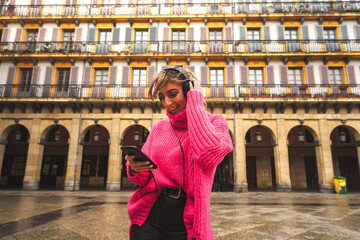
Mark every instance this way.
x=219 y=91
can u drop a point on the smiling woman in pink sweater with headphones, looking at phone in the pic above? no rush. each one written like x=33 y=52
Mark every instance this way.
x=173 y=201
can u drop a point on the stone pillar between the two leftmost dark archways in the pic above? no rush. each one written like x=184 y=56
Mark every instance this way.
x=34 y=158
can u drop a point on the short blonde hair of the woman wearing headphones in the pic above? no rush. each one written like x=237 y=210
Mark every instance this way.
x=169 y=75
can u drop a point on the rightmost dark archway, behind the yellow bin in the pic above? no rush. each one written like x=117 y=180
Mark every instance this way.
x=345 y=156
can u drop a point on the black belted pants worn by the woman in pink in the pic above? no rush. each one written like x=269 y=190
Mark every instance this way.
x=165 y=221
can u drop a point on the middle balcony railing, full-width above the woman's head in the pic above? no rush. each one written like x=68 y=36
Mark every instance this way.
x=183 y=47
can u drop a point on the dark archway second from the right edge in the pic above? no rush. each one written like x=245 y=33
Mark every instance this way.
x=302 y=158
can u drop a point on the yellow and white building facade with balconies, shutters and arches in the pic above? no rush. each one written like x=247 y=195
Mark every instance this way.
x=74 y=77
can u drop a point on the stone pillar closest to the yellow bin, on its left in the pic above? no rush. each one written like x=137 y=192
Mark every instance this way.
x=324 y=159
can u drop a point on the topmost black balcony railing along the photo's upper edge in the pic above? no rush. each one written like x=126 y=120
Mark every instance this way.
x=242 y=7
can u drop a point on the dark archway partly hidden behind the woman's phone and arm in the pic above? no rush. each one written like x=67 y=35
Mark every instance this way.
x=134 y=135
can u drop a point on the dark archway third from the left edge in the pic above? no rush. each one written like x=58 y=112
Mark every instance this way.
x=94 y=166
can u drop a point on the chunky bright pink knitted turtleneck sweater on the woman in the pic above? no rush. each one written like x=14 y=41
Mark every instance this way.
x=205 y=141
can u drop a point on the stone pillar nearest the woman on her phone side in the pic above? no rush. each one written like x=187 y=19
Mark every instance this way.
x=113 y=182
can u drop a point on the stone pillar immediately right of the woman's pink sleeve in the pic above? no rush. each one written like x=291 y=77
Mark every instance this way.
x=240 y=183
